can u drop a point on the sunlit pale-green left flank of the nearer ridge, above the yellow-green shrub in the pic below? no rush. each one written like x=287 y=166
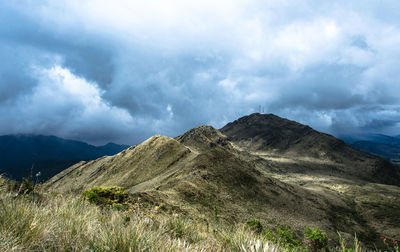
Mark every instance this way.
x=128 y=168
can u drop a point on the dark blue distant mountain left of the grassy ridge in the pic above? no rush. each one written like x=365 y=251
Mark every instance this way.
x=47 y=154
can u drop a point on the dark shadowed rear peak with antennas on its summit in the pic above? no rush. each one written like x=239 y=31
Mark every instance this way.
x=273 y=137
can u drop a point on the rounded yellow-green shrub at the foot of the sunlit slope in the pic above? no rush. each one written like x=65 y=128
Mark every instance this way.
x=114 y=196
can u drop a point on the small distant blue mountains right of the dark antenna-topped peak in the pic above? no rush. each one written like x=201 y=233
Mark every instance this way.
x=387 y=147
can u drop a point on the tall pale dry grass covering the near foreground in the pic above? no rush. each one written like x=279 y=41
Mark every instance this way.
x=48 y=222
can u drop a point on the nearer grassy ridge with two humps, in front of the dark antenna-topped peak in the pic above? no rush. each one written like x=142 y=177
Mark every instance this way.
x=196 y=178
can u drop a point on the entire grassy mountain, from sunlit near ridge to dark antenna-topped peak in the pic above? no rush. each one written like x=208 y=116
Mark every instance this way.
x=260 y=166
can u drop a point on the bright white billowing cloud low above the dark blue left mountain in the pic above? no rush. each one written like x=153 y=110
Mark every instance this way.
x=64 y=104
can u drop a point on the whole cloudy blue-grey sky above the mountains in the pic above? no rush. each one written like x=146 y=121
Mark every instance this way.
x=121 y=71
